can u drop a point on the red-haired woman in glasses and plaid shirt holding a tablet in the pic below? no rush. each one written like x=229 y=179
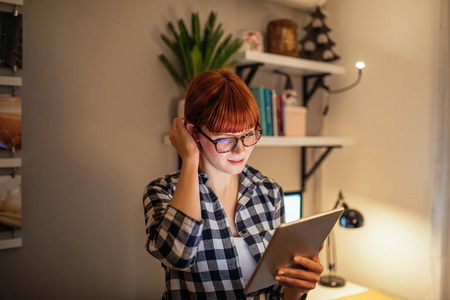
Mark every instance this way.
x=210 y=222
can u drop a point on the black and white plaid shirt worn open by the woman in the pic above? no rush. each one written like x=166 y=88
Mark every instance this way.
x=199 y=258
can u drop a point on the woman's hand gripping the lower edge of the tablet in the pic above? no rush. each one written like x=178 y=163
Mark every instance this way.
x=298 y=281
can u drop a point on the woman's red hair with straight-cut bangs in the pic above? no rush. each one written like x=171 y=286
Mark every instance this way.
x=222 y=102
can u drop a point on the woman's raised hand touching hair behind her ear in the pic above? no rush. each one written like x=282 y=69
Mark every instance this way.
x=182 y=140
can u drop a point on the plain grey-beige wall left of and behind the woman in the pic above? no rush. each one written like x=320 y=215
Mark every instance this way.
x=96 y=103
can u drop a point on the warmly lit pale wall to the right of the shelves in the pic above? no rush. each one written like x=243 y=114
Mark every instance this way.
x=388 y=174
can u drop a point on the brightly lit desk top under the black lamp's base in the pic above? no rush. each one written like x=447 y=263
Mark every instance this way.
x=350 y=291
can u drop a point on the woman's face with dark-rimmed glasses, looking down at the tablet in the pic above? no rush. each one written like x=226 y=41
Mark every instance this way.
x=232 y=162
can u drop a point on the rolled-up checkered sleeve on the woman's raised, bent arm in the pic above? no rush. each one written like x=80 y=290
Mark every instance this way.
x=172 y=236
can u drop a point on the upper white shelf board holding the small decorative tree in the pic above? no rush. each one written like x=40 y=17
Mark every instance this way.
x=292 y=65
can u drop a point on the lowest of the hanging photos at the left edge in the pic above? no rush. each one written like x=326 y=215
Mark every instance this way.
x=10 y=202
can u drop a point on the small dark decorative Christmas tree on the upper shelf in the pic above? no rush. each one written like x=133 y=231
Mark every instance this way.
x=316 y=44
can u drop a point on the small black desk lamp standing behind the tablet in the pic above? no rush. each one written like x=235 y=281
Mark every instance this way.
x=351 y=218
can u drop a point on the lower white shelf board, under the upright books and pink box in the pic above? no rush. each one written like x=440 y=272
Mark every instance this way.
x=307 y=141
